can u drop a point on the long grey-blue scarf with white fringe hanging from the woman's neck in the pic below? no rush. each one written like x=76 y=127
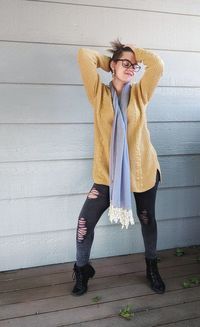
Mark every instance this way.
x=119 y=167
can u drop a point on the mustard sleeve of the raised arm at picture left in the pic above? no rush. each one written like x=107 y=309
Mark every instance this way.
x=89 y=61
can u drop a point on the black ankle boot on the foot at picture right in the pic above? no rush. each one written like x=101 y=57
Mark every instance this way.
x=152 y=274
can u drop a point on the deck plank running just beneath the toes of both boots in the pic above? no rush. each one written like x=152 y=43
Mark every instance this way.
x=140 y=291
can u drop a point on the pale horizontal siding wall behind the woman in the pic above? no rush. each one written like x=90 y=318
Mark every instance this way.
x=46 y=130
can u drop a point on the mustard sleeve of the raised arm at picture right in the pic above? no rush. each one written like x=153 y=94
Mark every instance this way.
x=153 y=72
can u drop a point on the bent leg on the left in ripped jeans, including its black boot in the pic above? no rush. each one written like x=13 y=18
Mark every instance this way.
x=96 y=203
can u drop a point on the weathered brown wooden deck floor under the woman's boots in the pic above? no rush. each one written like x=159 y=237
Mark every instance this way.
x=41 y=296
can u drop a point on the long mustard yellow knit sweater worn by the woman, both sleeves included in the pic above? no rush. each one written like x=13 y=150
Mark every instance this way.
x=143 y=158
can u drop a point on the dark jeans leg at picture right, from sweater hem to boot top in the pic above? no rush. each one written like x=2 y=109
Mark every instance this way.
x=145 y=205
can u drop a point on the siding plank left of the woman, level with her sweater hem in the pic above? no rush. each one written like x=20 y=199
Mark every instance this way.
x=45 y=178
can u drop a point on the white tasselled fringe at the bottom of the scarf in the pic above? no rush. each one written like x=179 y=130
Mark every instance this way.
x=124 y=216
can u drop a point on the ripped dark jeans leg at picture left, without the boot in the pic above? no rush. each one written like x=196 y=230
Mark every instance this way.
x=96 y=203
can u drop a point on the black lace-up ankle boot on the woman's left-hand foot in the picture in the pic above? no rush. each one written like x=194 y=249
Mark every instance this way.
x=82 y=275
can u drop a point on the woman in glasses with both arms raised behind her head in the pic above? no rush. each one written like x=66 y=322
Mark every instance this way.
x=124 y=159
